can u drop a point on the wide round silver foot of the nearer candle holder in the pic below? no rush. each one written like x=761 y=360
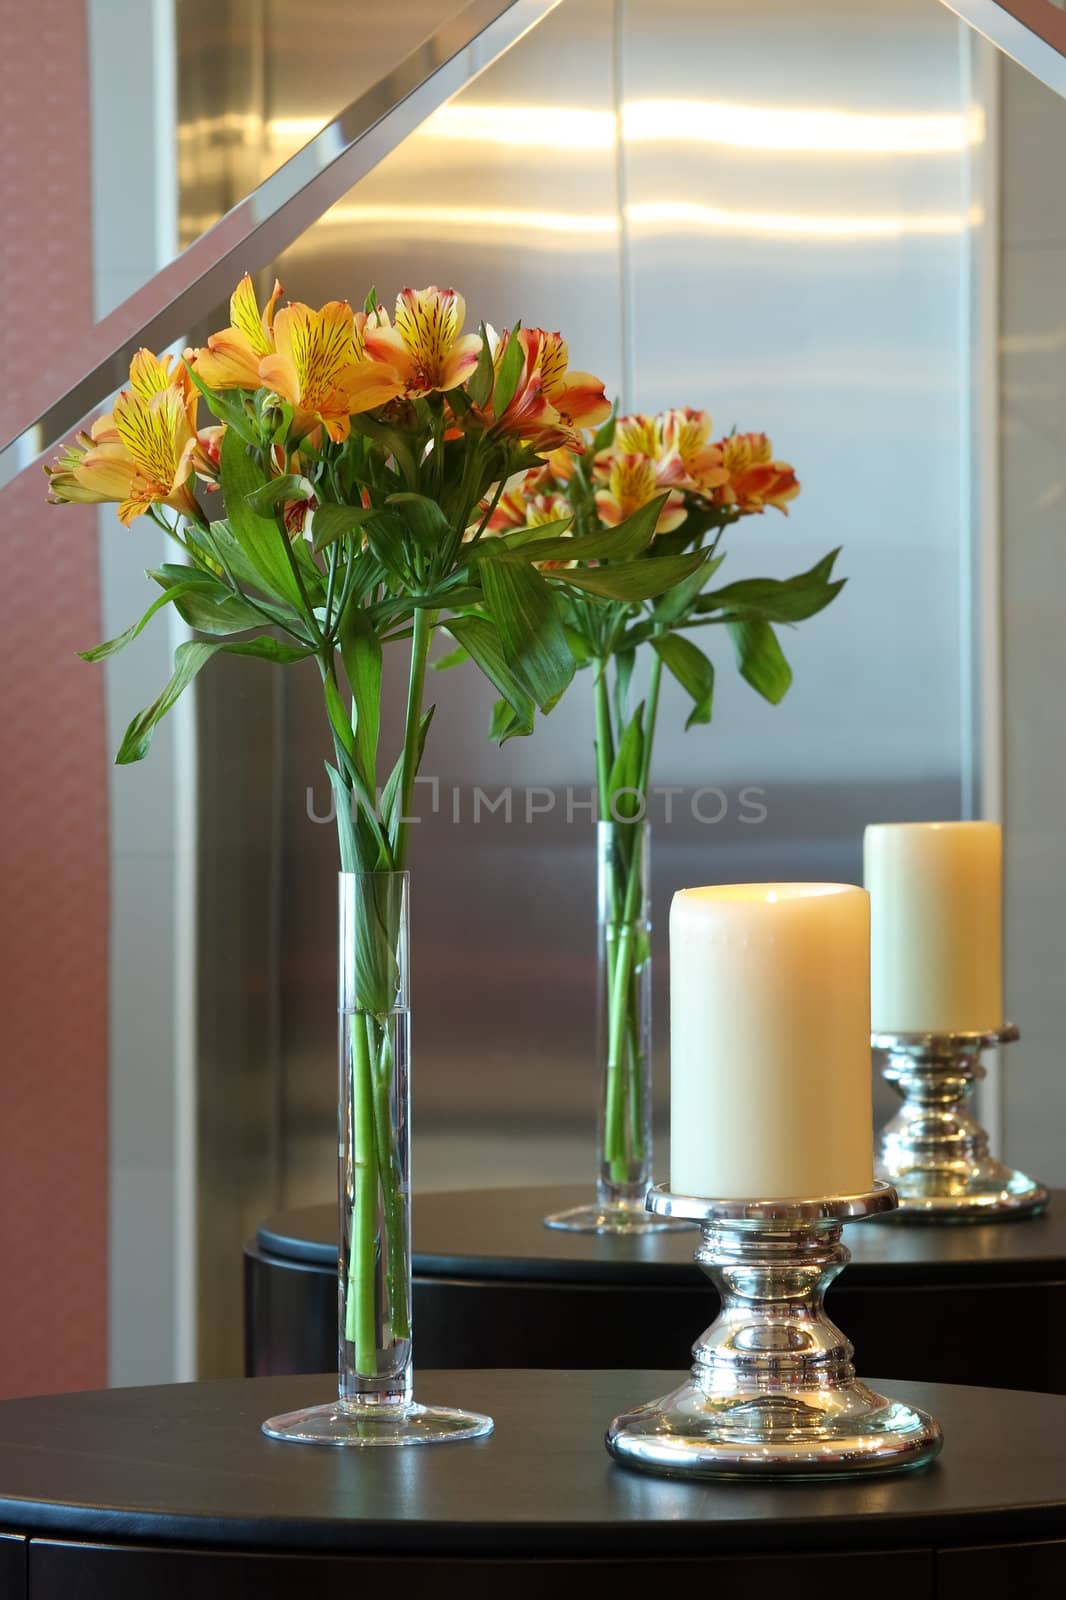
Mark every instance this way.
x=846 y=1431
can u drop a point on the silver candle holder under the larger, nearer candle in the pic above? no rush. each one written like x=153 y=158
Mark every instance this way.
x=772 y=1390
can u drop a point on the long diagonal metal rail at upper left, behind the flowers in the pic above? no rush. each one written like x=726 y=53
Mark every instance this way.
x=266 y=222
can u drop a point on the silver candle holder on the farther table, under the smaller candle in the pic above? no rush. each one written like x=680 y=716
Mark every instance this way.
x=934 y=1151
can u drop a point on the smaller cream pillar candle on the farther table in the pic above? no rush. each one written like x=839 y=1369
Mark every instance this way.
x=937 y=937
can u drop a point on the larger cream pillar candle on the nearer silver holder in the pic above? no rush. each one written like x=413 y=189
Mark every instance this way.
x=771 y=1066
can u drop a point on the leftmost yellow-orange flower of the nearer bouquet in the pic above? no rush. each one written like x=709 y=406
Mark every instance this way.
x=143 y=452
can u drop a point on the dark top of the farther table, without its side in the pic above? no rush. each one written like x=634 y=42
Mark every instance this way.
x=500 y=1234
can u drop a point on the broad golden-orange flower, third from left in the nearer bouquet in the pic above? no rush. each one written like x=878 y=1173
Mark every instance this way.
x=319 y=372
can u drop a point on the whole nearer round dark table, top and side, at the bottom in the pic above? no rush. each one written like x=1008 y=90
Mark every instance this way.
x=175 y=1492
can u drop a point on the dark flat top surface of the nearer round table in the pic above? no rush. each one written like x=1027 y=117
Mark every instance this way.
x=188 y=1466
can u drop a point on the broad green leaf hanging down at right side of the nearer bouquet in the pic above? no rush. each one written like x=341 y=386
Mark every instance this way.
x=535 y=647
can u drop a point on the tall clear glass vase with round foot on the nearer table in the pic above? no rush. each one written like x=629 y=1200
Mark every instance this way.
x=375 y=1399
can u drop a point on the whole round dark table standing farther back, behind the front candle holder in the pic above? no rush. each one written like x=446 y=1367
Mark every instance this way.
x=494 y=1287
